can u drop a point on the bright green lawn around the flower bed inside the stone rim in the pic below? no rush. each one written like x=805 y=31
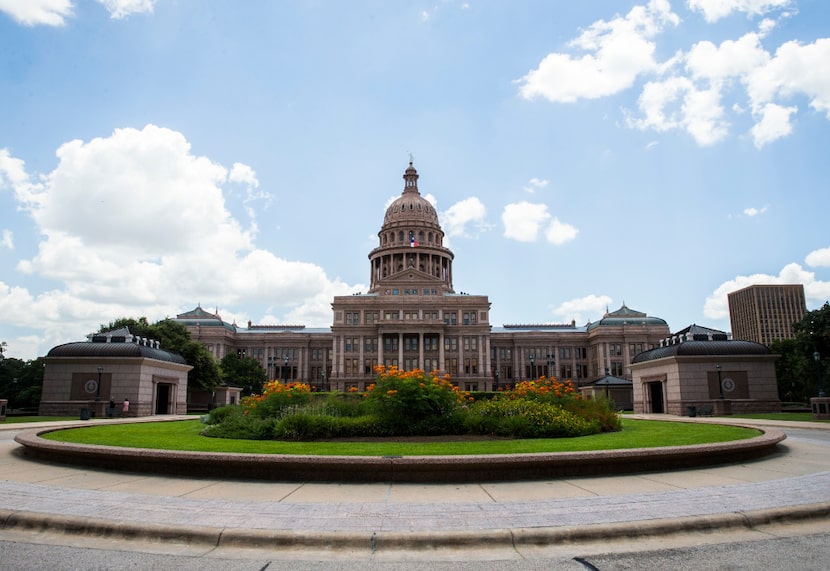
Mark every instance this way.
x=184 y=435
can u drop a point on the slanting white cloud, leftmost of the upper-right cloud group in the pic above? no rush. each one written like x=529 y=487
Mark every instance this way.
x=617 y=52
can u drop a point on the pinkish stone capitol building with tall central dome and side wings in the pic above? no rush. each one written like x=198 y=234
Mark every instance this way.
x=412 y=317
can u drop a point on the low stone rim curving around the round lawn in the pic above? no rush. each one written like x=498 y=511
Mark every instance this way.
x=421 y=469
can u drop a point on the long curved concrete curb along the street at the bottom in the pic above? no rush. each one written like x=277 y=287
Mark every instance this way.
x=215 y=537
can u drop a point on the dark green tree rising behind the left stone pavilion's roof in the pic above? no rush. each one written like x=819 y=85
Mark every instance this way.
x=175 y=338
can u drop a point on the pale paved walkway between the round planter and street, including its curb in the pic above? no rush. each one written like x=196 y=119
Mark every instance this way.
x=510 y=517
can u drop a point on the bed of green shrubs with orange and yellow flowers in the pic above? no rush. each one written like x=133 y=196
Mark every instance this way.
x=413 y=403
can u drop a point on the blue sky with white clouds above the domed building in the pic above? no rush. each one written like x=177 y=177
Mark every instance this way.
x=156 y=155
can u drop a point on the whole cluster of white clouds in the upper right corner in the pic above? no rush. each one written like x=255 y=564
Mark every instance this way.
x=686 y=92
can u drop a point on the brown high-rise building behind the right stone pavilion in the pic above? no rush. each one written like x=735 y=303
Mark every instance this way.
x=761 y=313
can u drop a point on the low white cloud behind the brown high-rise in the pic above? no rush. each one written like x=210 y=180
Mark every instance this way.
x=815 y=291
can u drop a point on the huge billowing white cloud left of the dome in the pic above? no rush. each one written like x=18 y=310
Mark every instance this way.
x=136 y=224
